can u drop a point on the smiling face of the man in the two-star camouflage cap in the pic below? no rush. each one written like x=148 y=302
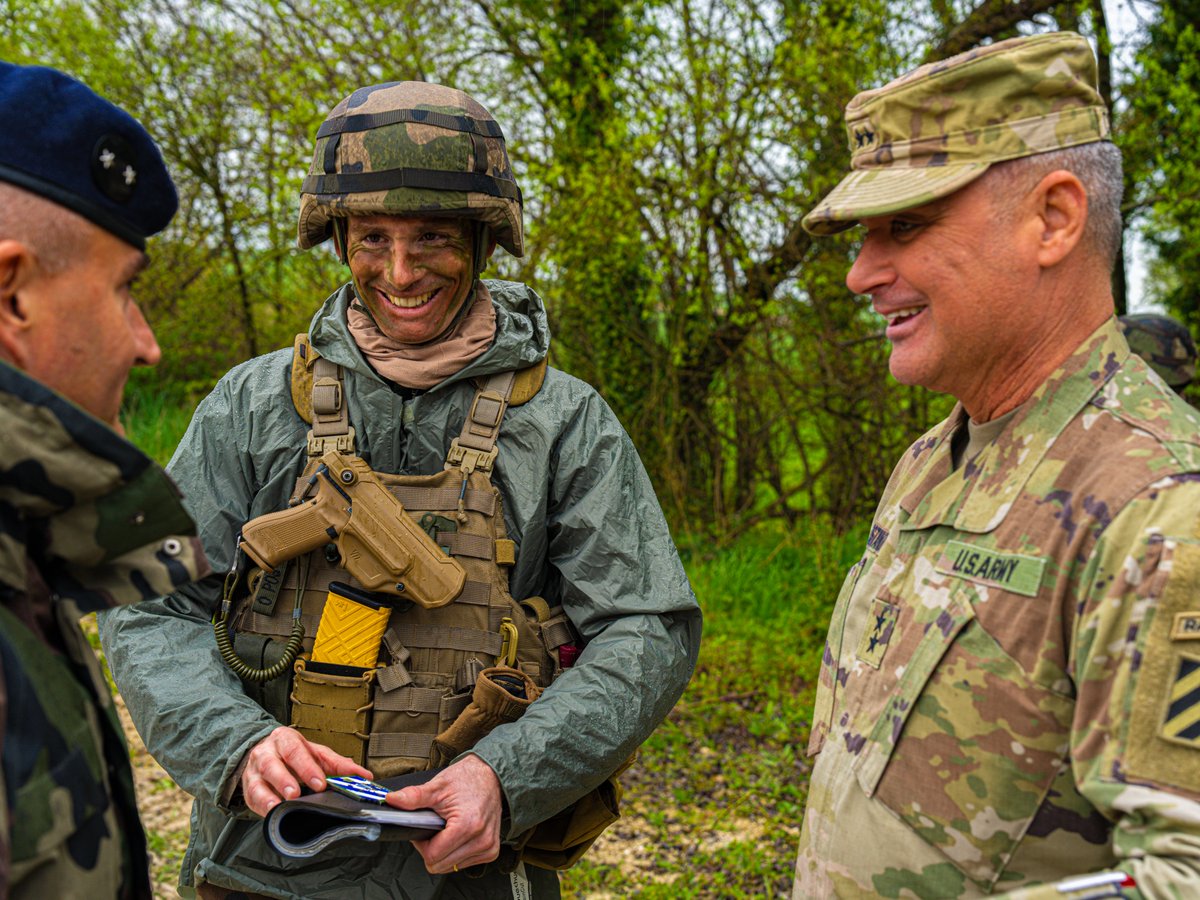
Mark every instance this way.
x=957 y=287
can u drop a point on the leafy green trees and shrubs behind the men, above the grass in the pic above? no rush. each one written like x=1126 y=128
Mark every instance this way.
x=668 y=151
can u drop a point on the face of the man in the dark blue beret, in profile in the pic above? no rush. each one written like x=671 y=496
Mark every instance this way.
x=80 y=331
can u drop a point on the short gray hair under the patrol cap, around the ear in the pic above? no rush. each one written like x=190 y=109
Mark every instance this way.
x=1096 y=165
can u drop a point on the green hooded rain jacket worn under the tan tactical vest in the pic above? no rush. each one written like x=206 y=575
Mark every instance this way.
x=590 y=536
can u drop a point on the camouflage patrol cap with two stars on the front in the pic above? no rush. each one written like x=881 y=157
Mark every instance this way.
x=939 y=128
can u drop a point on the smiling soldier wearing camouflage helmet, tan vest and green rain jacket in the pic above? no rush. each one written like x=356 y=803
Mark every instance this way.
x=436 y=381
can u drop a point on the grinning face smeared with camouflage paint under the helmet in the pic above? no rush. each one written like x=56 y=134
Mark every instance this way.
x=415 y=274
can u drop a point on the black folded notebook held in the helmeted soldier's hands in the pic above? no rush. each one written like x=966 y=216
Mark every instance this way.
x=304 y=827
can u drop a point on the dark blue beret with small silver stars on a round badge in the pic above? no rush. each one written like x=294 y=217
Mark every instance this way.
x=61 y=141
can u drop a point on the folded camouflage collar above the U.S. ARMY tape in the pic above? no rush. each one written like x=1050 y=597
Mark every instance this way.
x=979 y=496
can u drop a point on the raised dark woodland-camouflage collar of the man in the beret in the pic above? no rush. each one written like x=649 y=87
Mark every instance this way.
x=100 y=520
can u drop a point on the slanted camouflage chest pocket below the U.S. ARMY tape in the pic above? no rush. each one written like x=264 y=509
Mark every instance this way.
x=969 y=746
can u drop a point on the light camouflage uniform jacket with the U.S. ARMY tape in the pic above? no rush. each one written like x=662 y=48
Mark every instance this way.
x=1009 y=693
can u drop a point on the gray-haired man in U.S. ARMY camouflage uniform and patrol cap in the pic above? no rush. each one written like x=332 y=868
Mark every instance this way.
x=1009 y=700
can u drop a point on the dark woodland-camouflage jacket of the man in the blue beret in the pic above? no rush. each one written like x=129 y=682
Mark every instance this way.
x=87 y=523
